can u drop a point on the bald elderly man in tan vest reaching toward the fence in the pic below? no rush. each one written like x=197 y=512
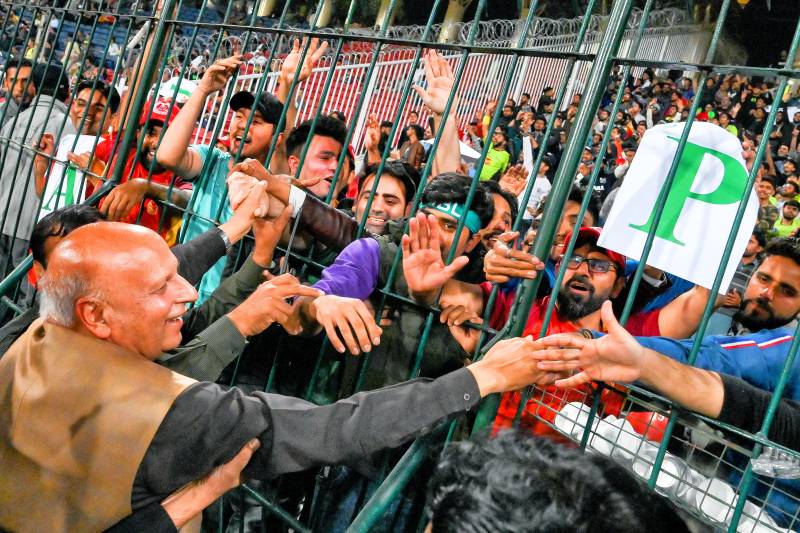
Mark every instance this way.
x=91 y=429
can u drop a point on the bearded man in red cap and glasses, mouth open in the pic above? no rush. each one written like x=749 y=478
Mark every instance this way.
x=594 y=275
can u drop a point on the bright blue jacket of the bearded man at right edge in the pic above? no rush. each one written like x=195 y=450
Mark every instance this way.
x=757 y=358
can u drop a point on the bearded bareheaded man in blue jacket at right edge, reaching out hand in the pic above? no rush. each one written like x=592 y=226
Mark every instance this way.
x=756 y=355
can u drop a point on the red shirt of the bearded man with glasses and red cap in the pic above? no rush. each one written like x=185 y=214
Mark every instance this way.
x=540 y=412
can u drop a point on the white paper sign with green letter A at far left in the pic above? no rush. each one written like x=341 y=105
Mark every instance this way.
x=65 y=183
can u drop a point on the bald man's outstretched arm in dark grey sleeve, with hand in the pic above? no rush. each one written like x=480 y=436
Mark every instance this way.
x=296 y=435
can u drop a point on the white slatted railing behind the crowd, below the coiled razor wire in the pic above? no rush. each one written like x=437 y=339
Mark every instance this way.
x=480 y=83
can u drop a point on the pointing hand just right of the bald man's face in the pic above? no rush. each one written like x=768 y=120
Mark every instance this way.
x=268 y=305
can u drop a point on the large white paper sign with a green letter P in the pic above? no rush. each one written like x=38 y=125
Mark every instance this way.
x=701 y=206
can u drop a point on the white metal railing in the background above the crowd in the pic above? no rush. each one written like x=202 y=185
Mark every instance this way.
x=671 y=38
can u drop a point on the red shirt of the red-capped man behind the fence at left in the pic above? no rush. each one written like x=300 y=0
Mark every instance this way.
x=151 y=217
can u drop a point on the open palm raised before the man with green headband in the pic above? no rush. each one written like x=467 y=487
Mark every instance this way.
x=423 y=267
